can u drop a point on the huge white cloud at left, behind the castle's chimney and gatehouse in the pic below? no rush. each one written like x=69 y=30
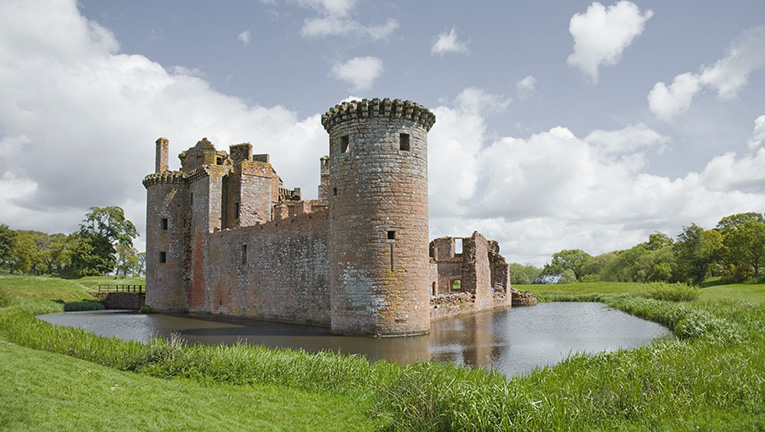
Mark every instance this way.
x=76 y=112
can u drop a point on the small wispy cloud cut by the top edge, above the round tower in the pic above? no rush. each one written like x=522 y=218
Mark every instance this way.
x=335 y=18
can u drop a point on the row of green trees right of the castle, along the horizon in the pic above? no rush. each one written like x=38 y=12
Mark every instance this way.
x=734 y=250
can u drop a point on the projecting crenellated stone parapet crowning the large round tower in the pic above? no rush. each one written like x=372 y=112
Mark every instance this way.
x=365 y=108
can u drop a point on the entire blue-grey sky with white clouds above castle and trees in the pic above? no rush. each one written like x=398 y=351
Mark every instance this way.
x=559 y=125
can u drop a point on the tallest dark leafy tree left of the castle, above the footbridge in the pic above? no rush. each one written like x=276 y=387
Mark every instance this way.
x=94 y=247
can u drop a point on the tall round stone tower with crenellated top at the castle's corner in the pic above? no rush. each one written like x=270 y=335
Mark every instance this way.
x=378 y=217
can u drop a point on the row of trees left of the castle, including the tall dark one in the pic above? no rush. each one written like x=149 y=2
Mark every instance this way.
x=102 y=245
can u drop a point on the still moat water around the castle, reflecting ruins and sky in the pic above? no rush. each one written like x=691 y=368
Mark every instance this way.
x=512 y=341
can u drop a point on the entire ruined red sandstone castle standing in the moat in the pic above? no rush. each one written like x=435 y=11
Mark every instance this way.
x=224 y=236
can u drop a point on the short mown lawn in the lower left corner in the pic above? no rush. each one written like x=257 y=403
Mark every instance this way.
x=42 y=391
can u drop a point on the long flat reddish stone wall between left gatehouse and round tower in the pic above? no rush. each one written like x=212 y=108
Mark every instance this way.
x=274 y=271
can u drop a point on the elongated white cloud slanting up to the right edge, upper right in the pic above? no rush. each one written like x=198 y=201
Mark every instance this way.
x=726 y=76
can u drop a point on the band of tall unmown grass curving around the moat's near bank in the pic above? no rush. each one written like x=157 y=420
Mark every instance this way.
x=709 y=378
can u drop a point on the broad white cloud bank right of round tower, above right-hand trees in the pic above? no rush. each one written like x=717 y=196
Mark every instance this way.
x=554 y=190
